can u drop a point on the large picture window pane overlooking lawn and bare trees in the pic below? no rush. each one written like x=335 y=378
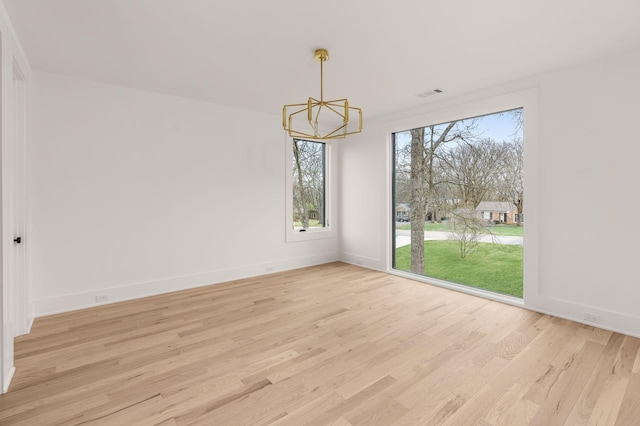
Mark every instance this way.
x=458 y=197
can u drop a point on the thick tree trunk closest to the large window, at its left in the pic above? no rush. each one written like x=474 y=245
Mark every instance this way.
x=417 y=201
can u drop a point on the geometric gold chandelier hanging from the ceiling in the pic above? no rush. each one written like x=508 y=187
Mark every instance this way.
x=306 y=119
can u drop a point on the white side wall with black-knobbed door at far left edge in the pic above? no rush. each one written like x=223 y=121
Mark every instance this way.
x=16 y=312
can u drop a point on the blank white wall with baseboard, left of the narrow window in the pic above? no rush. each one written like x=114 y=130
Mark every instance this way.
x=136 y=193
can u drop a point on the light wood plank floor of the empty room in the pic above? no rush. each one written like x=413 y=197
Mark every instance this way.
x=328 y=345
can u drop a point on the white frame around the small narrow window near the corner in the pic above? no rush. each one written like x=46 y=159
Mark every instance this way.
x=293 y=234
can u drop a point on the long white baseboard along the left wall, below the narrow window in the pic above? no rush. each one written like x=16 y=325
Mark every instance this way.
x=72 y=302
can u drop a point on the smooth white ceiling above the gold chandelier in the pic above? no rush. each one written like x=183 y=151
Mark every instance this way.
x=258 y=54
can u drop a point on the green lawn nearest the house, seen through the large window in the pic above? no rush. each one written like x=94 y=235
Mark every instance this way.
x=492 y=267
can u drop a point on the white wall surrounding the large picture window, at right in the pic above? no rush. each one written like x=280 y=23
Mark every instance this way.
x=583 y=175
